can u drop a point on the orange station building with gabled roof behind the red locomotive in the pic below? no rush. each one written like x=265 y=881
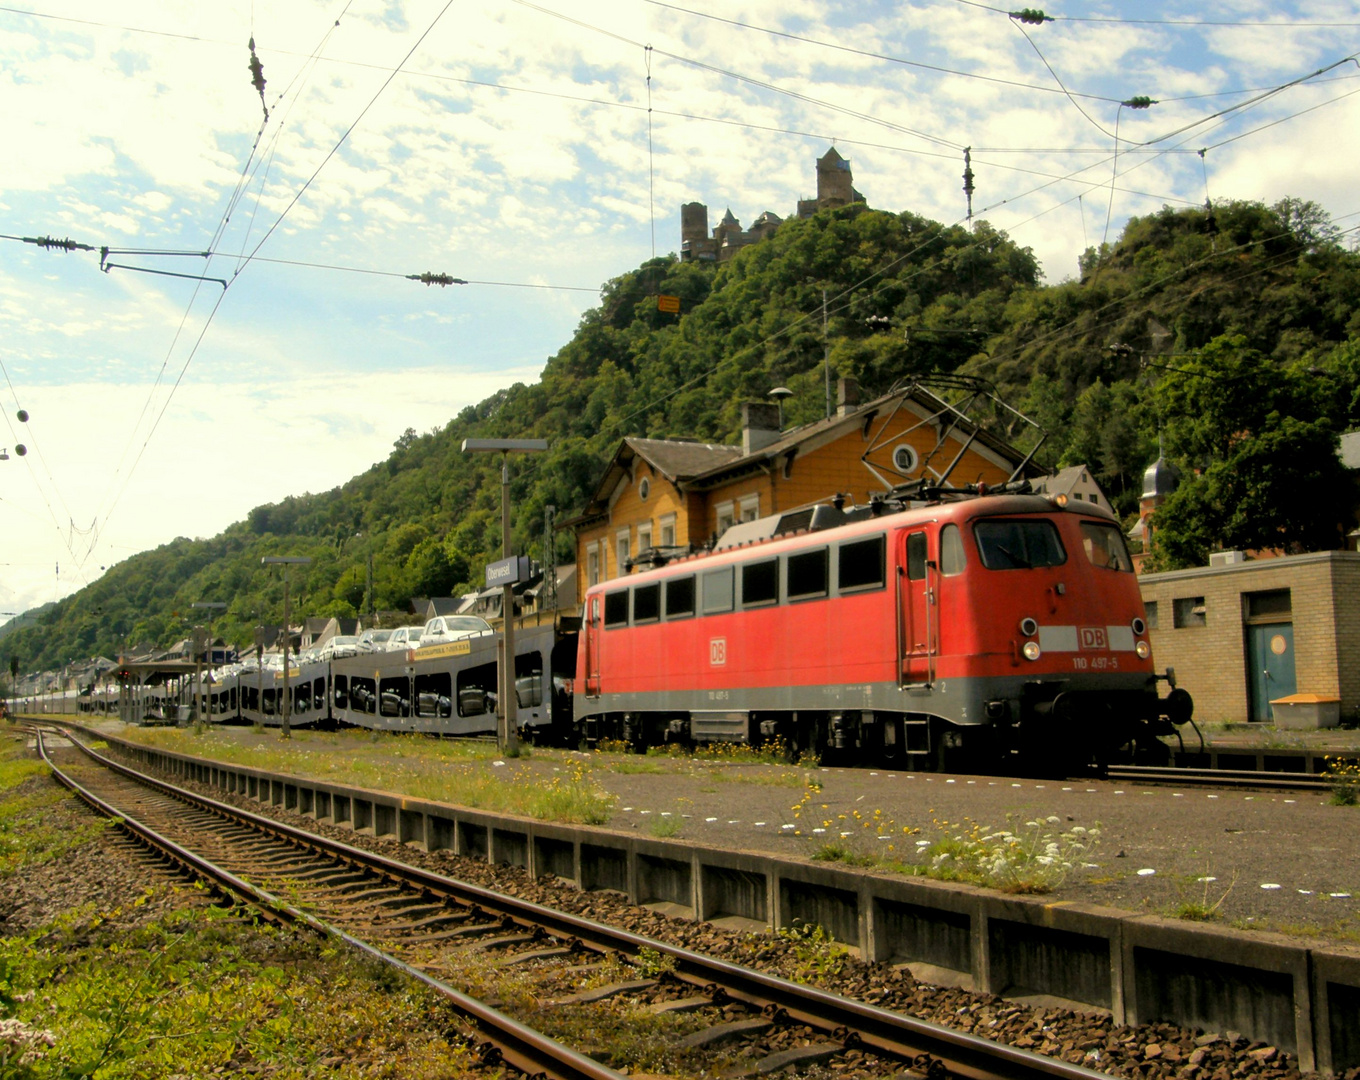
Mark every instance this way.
x=683 y=494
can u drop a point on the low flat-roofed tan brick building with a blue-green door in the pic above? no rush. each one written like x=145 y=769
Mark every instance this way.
x=1246 y=633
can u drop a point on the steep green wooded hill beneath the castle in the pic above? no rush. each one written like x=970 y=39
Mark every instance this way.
x=1234 y=334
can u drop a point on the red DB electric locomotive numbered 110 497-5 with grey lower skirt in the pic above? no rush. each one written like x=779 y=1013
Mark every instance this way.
x=976 y=630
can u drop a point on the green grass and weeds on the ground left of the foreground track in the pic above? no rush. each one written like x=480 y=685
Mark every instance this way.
x=165 y=985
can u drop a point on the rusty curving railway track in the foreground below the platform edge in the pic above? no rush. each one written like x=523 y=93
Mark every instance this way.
x=726 y=1019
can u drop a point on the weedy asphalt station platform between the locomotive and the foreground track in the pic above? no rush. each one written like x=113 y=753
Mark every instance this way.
x=1263 y=860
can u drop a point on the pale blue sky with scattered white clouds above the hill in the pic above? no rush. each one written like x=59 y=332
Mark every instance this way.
x=534 y=150
